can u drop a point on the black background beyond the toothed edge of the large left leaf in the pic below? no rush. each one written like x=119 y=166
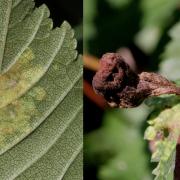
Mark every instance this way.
x=69 y=10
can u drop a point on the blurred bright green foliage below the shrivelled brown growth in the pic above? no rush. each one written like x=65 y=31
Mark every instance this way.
x=117 y=147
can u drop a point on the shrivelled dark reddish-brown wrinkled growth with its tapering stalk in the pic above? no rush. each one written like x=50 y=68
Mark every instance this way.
x=122 y=87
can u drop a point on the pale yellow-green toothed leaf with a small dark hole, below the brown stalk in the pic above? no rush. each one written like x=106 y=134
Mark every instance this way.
x=164 y=130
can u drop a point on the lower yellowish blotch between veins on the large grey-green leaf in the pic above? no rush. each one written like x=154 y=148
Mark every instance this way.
x=15 y=119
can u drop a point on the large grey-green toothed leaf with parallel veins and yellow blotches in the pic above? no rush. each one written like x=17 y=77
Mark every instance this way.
x=40 y=95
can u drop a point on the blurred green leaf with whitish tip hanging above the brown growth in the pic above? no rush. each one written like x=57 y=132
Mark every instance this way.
x=156 y=14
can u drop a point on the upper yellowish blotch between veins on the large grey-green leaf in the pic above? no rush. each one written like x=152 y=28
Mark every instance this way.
x=19 y=78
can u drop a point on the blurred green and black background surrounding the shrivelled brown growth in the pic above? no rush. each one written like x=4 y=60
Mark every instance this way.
x=114 y=148
